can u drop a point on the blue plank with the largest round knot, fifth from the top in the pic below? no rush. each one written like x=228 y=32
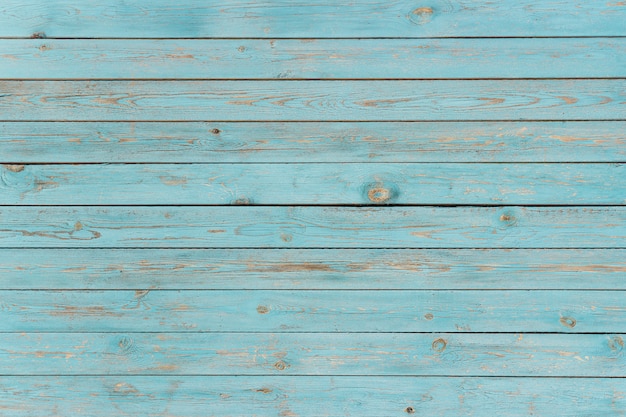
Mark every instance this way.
x=313 y=184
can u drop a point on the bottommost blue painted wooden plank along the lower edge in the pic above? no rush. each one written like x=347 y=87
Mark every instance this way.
x=310 y=396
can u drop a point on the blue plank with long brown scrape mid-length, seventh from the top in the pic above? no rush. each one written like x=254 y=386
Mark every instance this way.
x=236 y=269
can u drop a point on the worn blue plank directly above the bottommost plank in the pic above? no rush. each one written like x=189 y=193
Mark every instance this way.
x=313 y=354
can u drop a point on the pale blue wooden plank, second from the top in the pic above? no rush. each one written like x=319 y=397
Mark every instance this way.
x=317 y=59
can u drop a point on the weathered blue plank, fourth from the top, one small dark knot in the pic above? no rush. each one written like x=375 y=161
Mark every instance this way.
x=41 y=142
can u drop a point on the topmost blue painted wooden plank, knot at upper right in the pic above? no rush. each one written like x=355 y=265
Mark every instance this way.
x=321 y=18
